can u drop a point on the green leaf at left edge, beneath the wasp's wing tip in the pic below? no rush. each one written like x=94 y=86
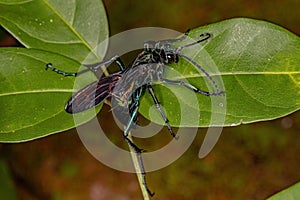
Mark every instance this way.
x=32 y=99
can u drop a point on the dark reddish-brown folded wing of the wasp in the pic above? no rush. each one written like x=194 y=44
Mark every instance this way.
x=92 y=94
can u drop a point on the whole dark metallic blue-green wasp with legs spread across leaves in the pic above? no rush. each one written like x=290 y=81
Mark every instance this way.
x=129 y=84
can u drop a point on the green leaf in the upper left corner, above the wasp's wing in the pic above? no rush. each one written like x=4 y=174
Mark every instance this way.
x=71 y=28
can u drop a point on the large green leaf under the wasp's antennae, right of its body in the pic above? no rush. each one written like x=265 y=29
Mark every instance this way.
x=258 y=64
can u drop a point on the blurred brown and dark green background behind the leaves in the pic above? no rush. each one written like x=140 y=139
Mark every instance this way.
x=249 y=162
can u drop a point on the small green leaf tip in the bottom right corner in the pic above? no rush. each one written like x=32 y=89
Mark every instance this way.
x=291 y=193
